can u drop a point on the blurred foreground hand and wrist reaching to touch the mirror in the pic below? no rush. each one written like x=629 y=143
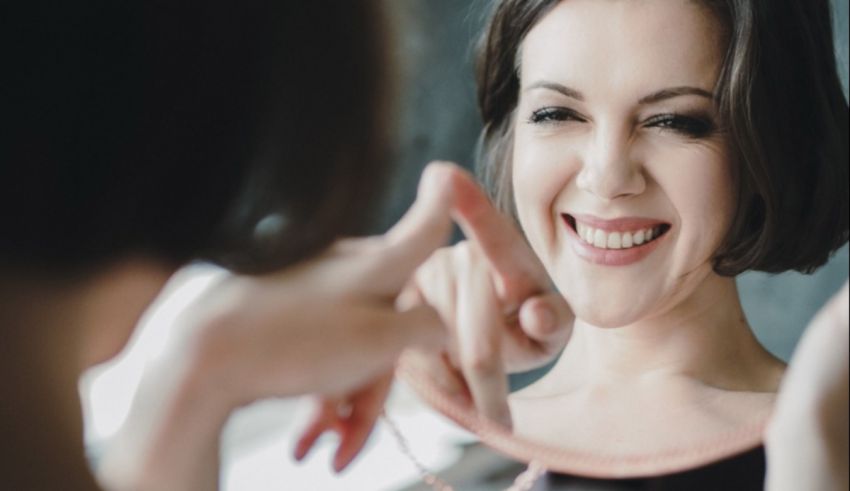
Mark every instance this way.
x=328 y=326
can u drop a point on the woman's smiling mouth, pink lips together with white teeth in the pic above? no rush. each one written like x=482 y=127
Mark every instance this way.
x=614 y=242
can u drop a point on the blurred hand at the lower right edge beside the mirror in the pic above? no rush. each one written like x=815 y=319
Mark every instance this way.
x=807 y=439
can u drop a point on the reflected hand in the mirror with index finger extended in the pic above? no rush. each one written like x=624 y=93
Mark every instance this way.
x=496 y=300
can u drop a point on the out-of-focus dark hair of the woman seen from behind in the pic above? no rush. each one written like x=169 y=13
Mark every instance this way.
x=248 y=133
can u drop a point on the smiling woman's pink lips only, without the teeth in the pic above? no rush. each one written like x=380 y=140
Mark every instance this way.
x=613 y=257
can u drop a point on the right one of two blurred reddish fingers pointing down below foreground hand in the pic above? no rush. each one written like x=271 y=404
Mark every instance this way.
x=367 y=406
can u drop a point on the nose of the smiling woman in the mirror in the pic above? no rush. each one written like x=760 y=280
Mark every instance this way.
x=609 y=168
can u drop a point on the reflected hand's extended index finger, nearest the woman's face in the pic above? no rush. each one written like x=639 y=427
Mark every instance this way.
x=518 y=272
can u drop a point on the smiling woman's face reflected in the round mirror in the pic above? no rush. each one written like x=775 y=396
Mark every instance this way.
x=621 y=174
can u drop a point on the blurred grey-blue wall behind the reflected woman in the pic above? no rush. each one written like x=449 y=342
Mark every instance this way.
x=438 y=120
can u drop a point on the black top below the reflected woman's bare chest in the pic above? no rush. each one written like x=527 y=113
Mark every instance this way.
x=743 y=472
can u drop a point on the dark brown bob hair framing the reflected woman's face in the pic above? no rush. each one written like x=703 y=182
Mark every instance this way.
x=778 y=94
